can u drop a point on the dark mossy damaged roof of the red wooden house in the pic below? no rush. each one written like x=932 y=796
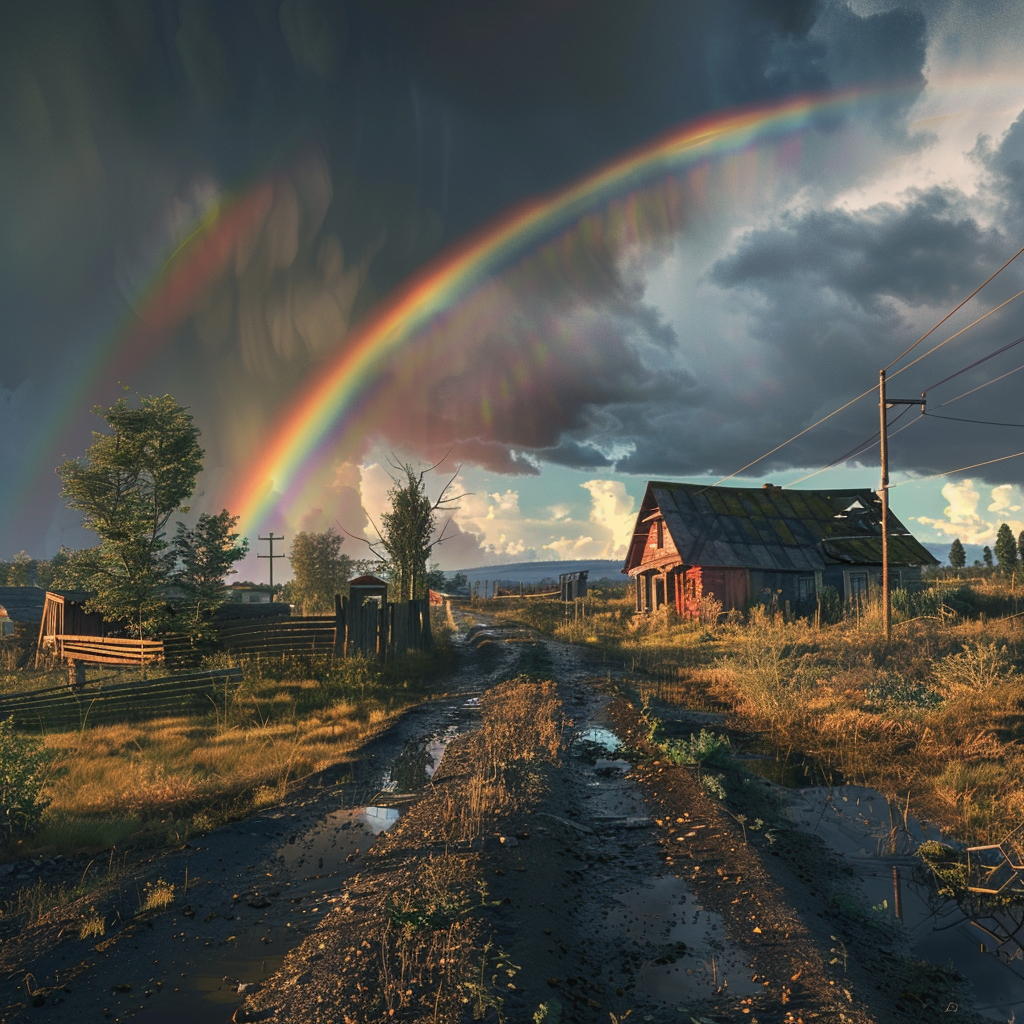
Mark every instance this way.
x=775 y=530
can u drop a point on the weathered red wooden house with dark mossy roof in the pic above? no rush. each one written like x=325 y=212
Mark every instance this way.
x=750 y=545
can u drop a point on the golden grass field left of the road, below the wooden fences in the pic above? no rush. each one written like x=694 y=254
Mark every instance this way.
x=159 y=781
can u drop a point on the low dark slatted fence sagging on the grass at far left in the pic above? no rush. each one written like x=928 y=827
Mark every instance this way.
x=60 y=709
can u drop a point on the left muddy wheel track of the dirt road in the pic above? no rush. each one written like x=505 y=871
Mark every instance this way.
x=244 y=893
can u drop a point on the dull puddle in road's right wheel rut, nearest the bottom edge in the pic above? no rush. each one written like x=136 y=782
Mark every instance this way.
x=690 y=956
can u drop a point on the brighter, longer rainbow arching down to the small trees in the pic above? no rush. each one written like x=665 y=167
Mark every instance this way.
x=335 y=405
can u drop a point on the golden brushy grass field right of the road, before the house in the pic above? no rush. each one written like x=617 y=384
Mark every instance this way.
x=933 y=718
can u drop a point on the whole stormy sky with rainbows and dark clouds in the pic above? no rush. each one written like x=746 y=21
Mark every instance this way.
x=559 y=248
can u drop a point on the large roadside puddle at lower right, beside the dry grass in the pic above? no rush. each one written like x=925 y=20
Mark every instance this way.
x=857 y=824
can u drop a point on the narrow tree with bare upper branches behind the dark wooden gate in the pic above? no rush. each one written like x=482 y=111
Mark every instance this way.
x=408 y=530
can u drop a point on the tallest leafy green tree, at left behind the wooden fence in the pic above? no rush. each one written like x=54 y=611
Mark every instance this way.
x=127 y=487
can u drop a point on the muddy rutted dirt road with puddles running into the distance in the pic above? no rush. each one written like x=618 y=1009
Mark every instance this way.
x=621 y=888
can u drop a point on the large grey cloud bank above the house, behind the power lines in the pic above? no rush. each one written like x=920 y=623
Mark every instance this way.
x=832 y=296
